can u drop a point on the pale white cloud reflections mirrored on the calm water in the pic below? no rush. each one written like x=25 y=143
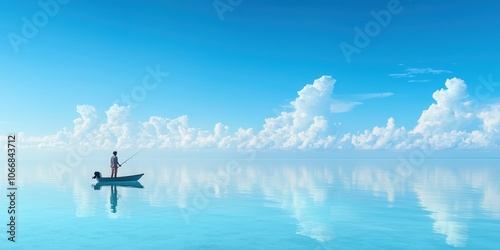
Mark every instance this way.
x=451 y=195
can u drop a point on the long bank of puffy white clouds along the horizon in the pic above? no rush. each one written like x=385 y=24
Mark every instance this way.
x=456 y=120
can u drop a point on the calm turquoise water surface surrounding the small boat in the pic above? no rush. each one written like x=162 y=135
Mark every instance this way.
x=259 y=204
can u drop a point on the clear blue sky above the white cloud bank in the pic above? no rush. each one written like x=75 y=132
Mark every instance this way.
x=240 y=65
